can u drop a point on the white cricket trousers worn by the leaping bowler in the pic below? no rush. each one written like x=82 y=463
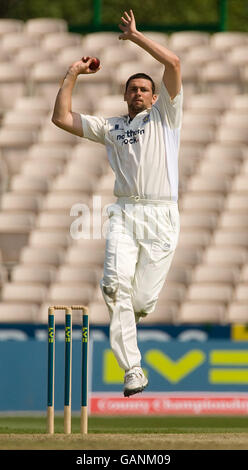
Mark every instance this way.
x=140 y=244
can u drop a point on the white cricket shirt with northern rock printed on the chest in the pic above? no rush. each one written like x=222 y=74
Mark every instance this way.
x=143 y=152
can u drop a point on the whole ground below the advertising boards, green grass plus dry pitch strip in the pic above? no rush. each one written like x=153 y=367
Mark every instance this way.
x=134 y=433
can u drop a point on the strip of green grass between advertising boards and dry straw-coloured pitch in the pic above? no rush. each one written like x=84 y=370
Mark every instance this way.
x=128 y=425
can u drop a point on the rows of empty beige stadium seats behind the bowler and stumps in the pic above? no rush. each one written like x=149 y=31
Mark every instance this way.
x=51 y=246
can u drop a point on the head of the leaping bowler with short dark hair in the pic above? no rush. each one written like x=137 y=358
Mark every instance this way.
x=139 y=96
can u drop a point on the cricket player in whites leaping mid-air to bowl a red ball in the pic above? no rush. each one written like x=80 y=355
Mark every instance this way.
x=142 y=148
